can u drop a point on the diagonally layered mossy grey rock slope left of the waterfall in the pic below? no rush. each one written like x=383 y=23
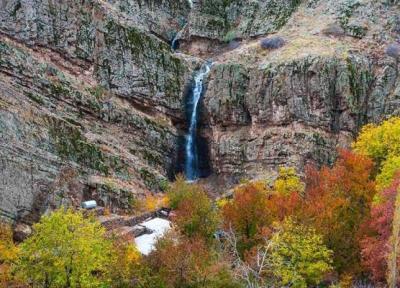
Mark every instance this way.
x=86 y=89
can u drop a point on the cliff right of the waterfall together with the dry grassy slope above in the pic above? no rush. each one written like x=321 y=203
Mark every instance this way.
x=299 y=103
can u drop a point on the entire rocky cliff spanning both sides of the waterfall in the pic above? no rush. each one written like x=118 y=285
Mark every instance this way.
x=92 y=97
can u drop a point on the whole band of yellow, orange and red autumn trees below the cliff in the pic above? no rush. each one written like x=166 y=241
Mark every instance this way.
x=335 y=226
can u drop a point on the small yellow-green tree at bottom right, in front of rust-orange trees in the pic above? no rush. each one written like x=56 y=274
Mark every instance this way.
x=298 y=256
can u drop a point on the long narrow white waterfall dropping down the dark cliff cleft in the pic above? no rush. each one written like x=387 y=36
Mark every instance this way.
x=191 y=153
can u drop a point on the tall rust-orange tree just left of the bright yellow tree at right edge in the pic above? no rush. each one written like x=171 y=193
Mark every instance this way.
x=337 y=201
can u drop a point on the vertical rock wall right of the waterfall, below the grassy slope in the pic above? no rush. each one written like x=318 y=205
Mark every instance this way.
x=289 y=113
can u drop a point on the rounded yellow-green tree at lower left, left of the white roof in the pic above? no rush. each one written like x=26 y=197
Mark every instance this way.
x=65 y=250
